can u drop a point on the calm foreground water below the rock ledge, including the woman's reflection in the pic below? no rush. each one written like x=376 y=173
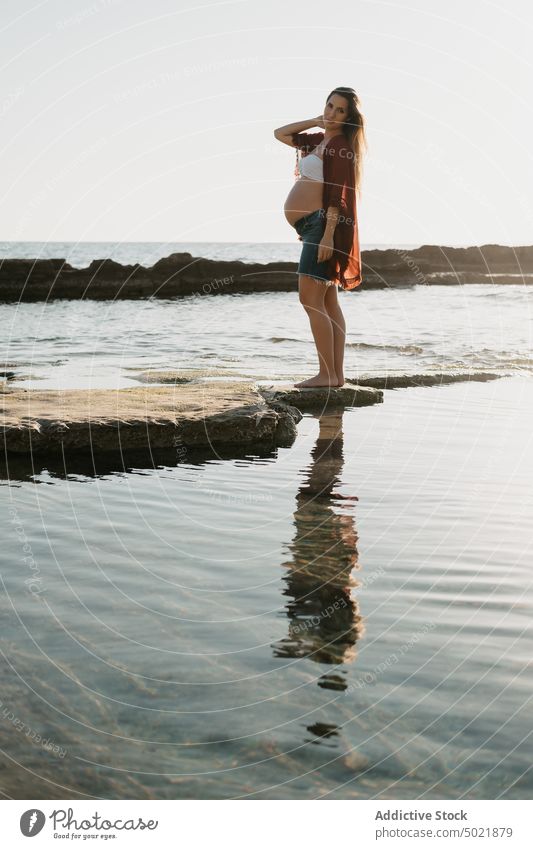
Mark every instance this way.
x=346 y=618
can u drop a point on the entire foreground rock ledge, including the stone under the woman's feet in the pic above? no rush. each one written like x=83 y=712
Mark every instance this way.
x=177 y=416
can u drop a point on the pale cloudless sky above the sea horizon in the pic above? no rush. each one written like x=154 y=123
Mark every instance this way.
x=133 y=121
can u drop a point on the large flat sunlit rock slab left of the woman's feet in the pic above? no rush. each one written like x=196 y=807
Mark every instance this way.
x=196 y=415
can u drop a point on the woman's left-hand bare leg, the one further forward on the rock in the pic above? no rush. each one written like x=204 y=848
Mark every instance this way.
x=312 y=295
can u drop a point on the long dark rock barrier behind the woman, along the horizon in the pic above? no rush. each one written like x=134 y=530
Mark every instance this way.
x=183 y=274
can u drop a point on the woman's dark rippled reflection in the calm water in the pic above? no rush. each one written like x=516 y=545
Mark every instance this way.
x=324 y=620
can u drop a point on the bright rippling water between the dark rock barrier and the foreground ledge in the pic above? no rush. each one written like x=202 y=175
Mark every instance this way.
x=78 y=344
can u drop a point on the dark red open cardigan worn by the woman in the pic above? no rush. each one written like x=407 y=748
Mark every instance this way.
x=339 y=191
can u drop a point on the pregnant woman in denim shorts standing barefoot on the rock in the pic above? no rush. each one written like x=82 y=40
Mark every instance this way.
x=321 y=206
